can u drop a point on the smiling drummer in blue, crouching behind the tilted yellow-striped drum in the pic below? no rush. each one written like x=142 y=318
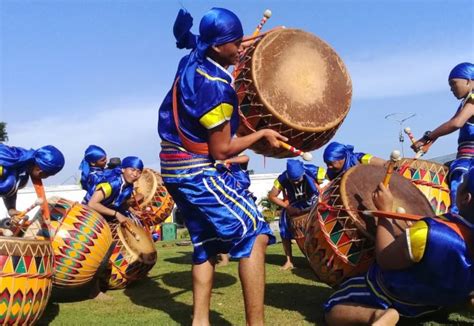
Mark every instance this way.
x=114 y=189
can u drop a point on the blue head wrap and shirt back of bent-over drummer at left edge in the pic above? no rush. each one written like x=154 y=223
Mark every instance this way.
x=49 y=159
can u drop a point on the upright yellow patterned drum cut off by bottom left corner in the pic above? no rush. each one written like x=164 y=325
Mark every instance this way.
x=26 y=271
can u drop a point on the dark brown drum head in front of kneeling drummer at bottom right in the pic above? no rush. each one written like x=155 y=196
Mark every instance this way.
x=358 y=184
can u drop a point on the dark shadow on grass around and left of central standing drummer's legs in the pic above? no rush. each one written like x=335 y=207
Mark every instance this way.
x=148 y=293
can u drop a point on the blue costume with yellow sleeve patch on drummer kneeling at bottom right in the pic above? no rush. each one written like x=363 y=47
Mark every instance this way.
x=442 y=273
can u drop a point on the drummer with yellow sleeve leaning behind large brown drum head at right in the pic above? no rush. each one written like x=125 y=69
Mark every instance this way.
x=339 y=158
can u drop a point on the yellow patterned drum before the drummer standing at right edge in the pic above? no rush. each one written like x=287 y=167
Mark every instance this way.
x=431 y=179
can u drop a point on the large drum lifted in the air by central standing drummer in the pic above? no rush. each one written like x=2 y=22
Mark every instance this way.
x=295 y=83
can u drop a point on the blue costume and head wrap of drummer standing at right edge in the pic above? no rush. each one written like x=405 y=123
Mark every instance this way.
x=465 y=155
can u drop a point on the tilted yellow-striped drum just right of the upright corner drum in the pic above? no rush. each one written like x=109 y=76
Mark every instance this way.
x=81 y=241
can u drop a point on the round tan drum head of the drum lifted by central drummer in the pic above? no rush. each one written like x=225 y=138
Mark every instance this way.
x=301 y=80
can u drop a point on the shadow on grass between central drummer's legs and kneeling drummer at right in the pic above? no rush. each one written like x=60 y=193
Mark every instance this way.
x=306 y=299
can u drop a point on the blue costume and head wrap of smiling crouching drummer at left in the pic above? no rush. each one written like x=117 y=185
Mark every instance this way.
x=116 y=190
